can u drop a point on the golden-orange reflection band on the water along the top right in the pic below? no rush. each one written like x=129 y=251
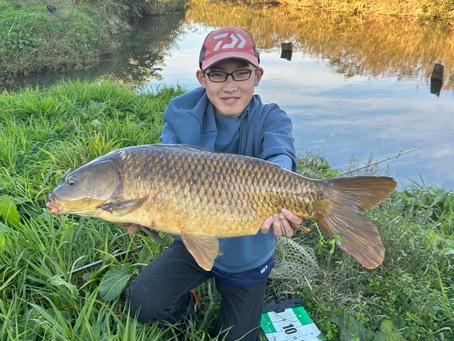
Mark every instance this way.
x=373 y=45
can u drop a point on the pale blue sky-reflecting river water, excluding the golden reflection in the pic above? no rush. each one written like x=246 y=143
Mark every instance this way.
x=342 y=118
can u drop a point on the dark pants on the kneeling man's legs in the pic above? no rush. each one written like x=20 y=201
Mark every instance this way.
x=161 y=293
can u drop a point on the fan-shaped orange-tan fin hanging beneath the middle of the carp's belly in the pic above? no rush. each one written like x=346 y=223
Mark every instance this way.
x=204 y=249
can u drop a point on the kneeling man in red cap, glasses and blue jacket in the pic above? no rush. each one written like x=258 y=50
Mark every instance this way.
x=222 y=115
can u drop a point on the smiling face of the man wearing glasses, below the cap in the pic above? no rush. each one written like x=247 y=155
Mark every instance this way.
x=230 y=97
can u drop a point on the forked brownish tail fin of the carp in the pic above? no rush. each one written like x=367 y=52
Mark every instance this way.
x=348 y=198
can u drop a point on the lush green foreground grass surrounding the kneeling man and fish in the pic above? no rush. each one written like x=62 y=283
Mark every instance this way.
x=45 y=134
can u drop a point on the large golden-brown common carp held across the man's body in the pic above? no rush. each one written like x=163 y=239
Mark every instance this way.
x=203 y=196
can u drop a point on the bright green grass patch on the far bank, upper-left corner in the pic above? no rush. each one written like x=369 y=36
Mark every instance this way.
x=34 y=40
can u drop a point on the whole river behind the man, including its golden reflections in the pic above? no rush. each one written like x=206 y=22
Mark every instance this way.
x=352 y=102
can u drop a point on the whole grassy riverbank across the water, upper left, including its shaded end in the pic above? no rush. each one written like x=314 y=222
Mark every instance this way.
x=69 y=35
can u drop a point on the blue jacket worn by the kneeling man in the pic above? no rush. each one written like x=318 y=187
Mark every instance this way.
x=263 y=131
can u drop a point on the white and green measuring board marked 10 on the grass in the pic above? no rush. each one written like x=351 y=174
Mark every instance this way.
x=292 y=324
